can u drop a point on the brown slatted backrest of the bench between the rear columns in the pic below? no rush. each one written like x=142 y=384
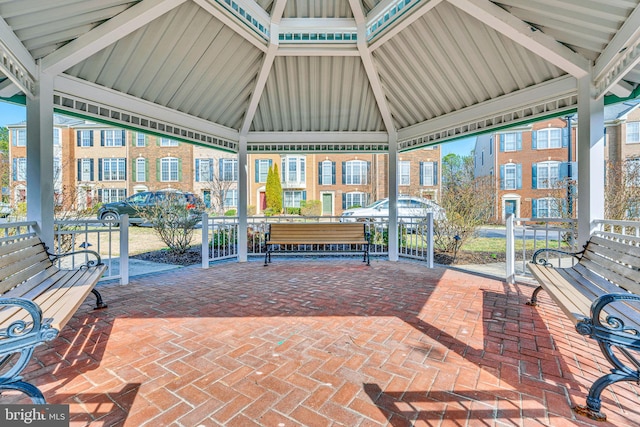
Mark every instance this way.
x=332 y=231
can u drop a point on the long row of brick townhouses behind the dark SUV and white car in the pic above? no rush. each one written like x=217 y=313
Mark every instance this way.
x=99 y=163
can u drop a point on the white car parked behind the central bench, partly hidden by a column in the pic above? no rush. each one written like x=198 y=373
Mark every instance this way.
x=409 y=208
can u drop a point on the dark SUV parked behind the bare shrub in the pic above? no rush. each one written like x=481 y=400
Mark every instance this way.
x=136 y=204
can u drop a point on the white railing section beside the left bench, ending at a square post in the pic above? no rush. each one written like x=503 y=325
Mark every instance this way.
x=110 y=239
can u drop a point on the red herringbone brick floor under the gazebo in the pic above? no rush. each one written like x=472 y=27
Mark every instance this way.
x=323 y=343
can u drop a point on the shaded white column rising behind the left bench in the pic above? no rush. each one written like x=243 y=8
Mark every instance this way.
x=40 y=158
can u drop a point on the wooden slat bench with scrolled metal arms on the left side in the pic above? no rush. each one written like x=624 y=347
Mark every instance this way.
x=37 y=299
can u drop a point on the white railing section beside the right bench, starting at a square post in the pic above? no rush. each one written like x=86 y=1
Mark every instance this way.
x=524 y=236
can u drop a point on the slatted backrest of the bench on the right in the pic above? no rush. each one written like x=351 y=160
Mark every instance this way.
x=615 y=261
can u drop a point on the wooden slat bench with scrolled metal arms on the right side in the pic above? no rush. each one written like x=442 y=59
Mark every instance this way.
x=601 y=295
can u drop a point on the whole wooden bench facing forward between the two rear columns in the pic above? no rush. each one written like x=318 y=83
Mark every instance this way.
x=286 y=237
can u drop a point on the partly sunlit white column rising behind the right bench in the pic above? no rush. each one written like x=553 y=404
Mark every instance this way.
x=590 y=158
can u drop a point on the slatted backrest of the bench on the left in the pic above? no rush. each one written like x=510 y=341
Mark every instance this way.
x=20 y=260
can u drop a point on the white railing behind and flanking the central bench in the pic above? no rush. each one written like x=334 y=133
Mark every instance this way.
x=219 y=235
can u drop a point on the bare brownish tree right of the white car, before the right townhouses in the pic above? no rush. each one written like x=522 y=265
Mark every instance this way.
x=467 y=201
